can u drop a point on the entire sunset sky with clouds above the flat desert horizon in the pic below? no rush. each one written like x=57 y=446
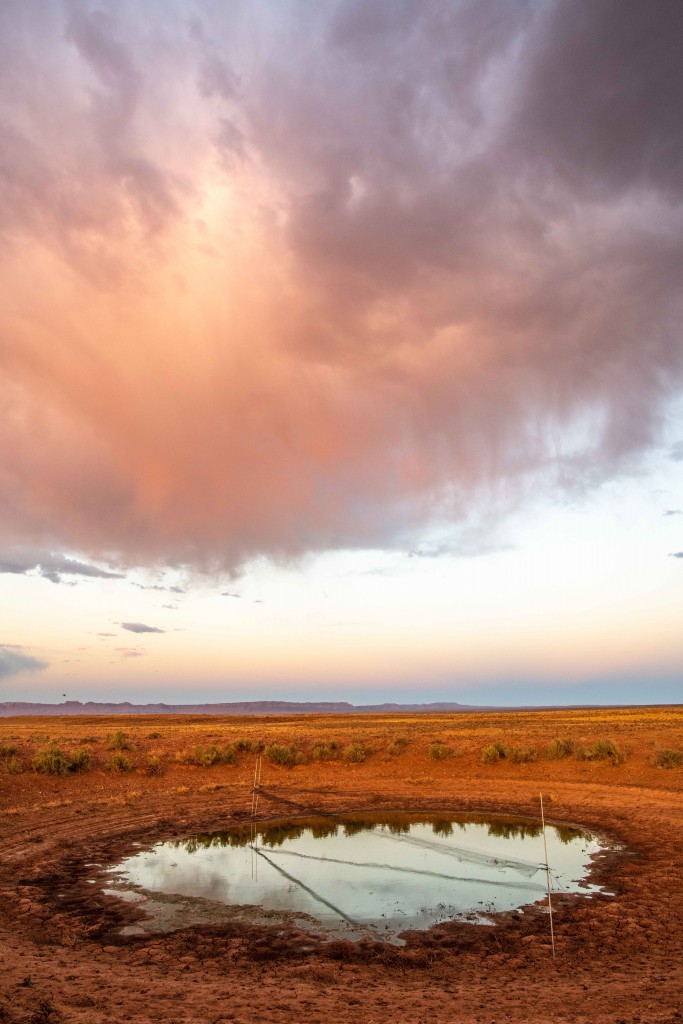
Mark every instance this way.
x=341 y=352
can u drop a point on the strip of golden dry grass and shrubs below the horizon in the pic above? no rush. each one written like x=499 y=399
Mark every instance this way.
x=632 y=742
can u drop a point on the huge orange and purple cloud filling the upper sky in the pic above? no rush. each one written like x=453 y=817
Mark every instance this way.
x=288 y=277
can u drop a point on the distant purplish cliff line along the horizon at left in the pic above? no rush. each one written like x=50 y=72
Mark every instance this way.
x=20 y=708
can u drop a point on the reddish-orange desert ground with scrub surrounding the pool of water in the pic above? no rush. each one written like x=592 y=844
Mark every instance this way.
x=78 y=791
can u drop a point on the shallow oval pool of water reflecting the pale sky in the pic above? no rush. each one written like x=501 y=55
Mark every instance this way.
x=355 y=876
